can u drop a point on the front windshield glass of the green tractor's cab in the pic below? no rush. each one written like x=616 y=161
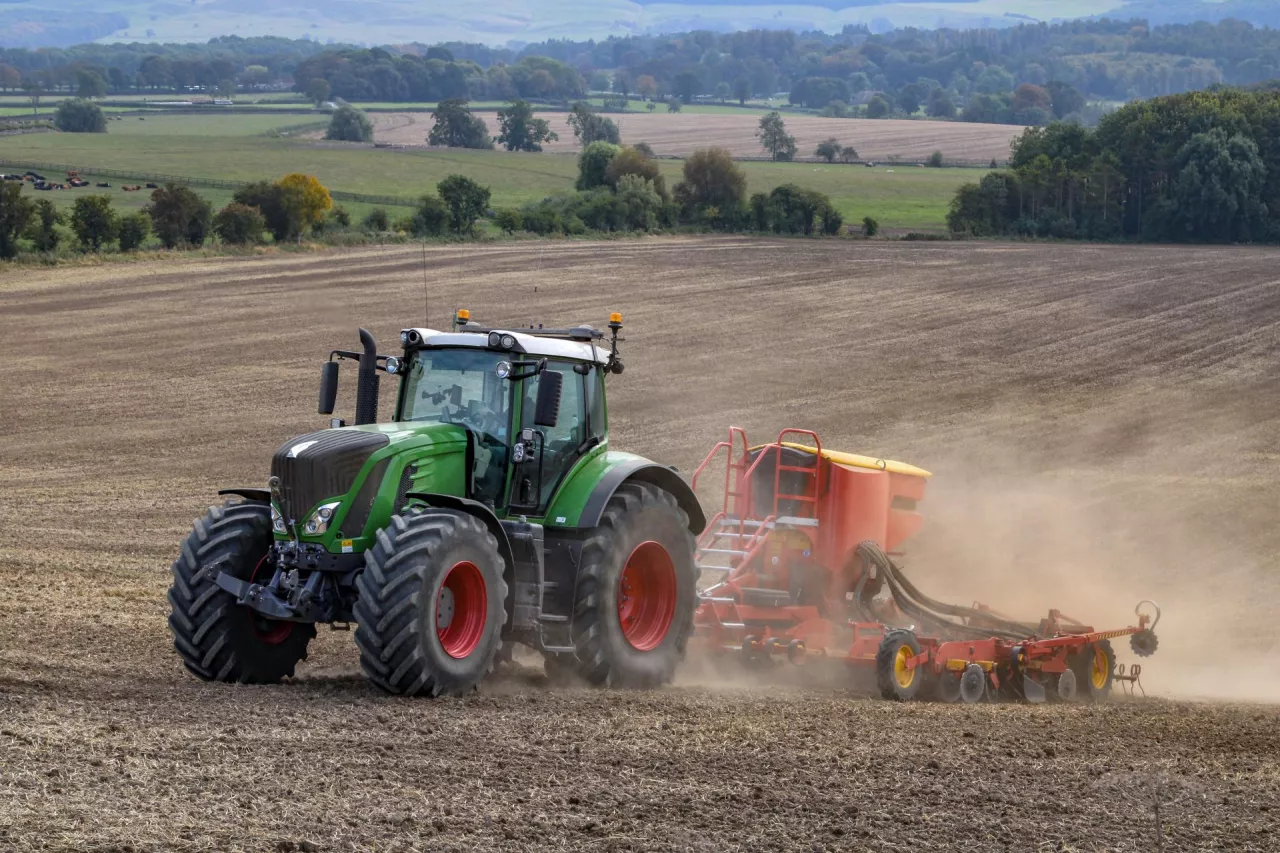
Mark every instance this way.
x=458 y=387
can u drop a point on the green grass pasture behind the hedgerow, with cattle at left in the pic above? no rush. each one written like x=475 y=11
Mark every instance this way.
x=236 y=148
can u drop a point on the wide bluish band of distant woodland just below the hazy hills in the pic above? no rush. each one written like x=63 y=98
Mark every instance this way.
x=975 y=75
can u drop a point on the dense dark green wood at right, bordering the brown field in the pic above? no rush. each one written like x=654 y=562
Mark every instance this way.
x=1199 y=167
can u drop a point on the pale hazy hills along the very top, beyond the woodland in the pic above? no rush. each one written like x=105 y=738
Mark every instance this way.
x=56 y=24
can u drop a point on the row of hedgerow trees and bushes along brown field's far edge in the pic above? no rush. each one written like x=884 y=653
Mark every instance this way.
x=619 y=189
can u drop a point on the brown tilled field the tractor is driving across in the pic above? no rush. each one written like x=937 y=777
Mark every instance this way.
x=1103 y=425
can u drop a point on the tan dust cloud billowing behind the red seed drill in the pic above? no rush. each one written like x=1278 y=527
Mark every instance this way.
x=1104 y=508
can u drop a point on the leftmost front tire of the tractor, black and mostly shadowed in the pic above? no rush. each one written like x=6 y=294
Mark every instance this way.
x=217 y=638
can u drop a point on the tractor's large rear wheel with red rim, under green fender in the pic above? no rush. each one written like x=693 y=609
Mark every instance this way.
x=637 y=591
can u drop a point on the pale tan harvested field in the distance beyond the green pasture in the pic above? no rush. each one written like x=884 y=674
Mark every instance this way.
x=682 y=134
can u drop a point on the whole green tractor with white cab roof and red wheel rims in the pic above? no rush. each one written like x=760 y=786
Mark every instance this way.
x=488 y=513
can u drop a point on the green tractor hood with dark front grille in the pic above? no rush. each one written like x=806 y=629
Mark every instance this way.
x=330 y=464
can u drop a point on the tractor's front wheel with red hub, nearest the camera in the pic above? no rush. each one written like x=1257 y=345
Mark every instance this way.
x=432 y=605
